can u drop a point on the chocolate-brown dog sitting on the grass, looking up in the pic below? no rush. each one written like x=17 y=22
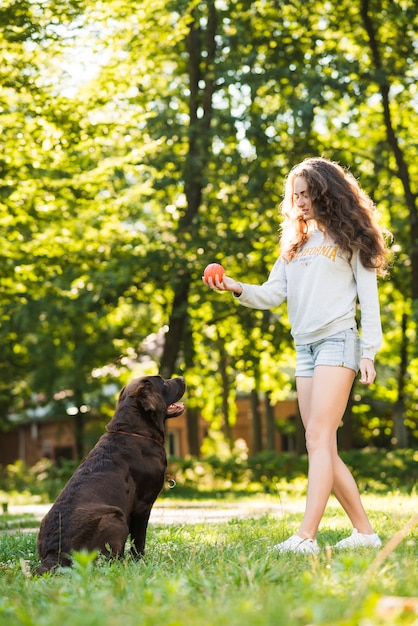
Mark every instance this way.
x=112 y=492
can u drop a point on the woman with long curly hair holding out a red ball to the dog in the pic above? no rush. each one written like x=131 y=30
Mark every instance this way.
x=331 y=250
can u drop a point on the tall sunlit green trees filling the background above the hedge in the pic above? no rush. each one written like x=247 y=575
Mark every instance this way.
x=143 y=140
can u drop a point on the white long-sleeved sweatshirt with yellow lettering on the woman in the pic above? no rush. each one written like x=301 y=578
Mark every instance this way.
x=321 y=288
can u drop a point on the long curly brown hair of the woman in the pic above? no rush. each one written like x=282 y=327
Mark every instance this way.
x=341 y=208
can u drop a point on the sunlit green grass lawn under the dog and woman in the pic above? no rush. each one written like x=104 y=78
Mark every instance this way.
x=222 y=575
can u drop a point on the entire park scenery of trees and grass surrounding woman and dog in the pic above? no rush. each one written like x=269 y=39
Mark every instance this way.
x=140 y=141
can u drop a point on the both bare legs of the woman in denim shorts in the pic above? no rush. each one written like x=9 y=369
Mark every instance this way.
x=322 y=401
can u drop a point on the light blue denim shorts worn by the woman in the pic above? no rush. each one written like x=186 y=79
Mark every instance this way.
x=339 y=350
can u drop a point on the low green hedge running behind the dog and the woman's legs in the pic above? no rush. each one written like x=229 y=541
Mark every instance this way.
x=376 y=471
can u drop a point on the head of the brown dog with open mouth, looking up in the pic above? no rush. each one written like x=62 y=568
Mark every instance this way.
x=150 y=398
